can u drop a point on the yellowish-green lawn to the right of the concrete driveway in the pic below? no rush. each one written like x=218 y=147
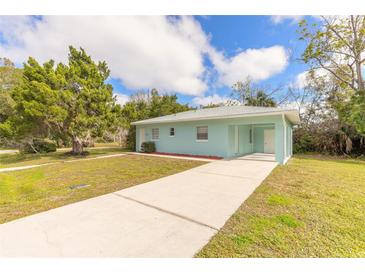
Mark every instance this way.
x=311 y=207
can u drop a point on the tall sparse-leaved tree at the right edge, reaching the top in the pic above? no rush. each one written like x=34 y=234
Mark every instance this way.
x=336 y=50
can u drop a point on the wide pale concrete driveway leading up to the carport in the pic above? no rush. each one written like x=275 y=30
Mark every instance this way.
x=174 y=216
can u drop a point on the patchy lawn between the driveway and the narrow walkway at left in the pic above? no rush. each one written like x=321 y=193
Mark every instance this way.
x=34 y=190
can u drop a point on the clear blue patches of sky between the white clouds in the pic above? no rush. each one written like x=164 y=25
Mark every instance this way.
x=232 y=34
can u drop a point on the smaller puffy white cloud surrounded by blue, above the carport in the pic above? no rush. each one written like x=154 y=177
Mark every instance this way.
x=258 y=64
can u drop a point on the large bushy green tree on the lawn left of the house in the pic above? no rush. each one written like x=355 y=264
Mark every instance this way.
x=68 y=102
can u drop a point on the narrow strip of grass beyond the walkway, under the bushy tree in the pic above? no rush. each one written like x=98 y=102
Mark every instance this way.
x=19 y=159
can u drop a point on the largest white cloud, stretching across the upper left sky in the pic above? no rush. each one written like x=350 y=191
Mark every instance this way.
x=142 y=51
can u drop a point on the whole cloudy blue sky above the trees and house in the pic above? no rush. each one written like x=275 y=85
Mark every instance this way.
x=198 y=58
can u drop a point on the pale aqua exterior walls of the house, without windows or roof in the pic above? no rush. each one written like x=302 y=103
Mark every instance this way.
x=220 y=136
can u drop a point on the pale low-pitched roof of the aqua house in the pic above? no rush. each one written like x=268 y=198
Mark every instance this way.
x=222 y=113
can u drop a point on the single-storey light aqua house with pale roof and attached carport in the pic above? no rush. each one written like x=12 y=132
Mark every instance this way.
x=223 y=131
